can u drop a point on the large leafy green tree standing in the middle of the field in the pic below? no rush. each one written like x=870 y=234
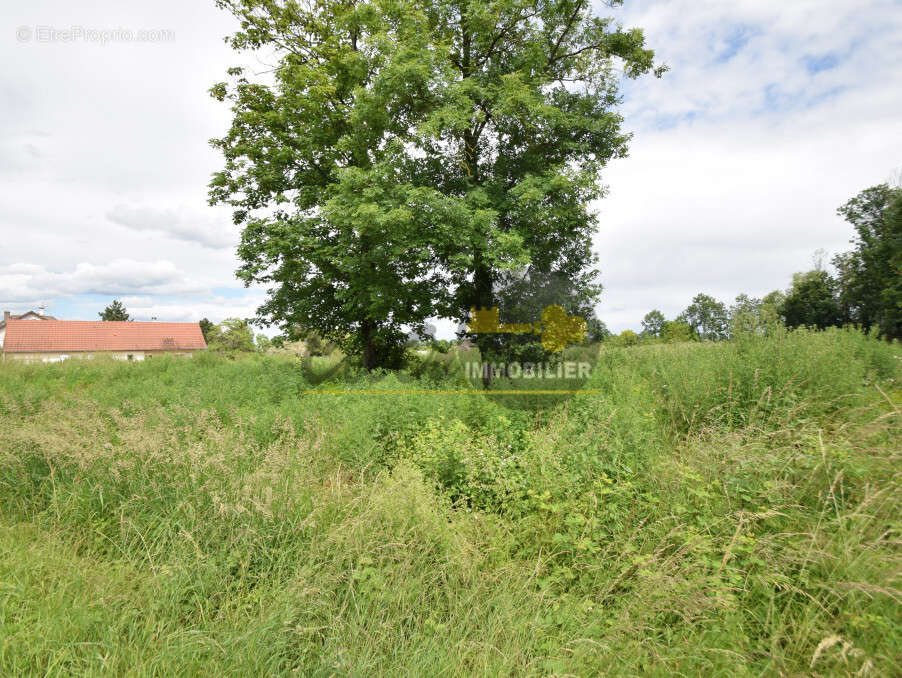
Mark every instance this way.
x=403 y=154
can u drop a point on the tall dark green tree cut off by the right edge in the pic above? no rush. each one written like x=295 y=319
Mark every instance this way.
x=869 y=287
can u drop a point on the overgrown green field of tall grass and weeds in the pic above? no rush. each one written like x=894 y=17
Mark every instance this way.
x=727 y=509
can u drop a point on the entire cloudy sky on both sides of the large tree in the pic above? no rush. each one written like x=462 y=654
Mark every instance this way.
x=773 y=113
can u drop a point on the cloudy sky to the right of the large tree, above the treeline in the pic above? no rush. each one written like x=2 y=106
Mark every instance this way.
x=744 y=150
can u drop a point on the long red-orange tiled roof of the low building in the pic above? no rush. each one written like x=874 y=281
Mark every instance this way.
x=27 y=336
